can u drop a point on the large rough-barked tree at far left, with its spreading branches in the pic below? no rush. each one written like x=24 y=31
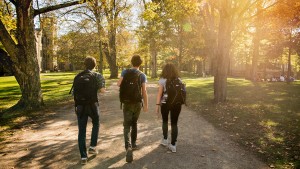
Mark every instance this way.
x=21 y=48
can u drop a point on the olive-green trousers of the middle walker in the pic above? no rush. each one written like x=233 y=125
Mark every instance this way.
x=131 y=112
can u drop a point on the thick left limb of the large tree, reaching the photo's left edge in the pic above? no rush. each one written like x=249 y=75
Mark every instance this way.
x=7 y=41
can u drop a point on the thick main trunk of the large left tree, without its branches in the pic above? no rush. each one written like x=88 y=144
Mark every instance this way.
x=26 y=68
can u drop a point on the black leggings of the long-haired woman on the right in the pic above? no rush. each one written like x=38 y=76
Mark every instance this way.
x=175 y=111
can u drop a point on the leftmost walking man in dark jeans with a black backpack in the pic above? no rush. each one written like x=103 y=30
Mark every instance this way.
x=85 y=87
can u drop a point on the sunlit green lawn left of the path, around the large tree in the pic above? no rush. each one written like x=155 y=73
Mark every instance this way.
x=55 y=89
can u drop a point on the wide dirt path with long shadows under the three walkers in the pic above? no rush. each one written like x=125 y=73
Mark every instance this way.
x=54 y=143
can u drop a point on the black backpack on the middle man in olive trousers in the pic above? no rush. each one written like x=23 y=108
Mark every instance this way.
x=130 y=88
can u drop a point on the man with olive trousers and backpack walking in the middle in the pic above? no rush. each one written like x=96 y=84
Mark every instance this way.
x=133 y=97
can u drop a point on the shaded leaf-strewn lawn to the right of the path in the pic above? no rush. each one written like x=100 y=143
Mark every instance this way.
x=264 y=117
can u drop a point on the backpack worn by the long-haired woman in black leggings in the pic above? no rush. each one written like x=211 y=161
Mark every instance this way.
x=176 y=91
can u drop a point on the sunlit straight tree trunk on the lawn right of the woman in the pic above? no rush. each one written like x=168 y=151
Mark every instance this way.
x=224 y=41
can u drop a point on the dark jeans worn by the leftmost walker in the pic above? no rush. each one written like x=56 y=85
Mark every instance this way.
x=83 y=112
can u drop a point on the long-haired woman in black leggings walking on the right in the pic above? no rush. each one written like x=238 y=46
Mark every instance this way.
x=168 y=74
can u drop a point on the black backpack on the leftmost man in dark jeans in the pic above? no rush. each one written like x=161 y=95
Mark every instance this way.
x=85 y=88
